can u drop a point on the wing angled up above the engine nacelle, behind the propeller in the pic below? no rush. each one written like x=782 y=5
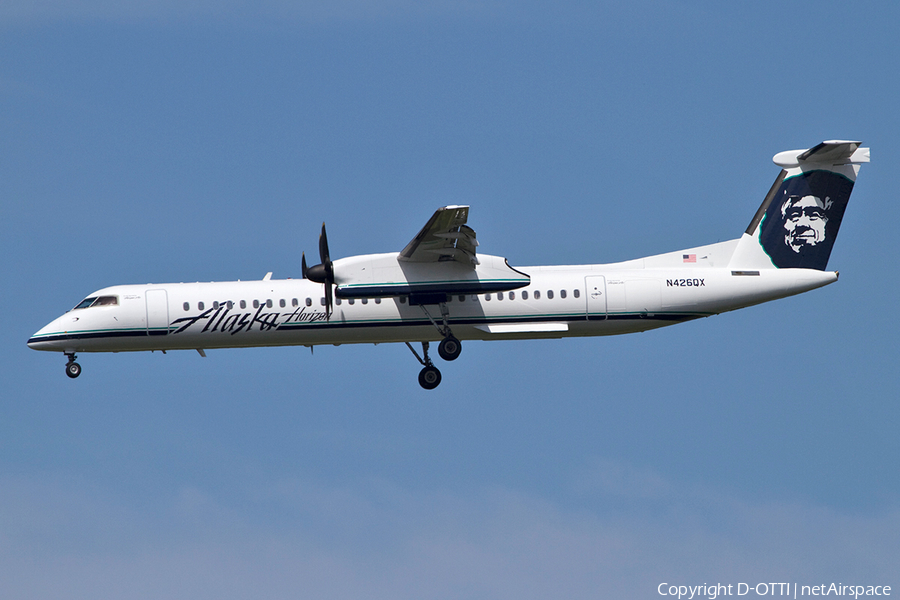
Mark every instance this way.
x=445 y=237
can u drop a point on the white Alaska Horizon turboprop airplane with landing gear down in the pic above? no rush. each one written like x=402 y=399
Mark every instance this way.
x=439 y=289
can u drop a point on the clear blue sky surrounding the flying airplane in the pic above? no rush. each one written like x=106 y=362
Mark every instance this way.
x=151 y=141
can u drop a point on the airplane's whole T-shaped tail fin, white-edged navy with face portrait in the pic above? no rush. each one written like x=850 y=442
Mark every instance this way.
x=797 y=223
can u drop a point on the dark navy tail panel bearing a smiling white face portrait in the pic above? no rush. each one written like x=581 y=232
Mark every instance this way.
x=802 y=221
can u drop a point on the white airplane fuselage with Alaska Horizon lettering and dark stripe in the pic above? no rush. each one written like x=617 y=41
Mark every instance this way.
x=560 y=301
